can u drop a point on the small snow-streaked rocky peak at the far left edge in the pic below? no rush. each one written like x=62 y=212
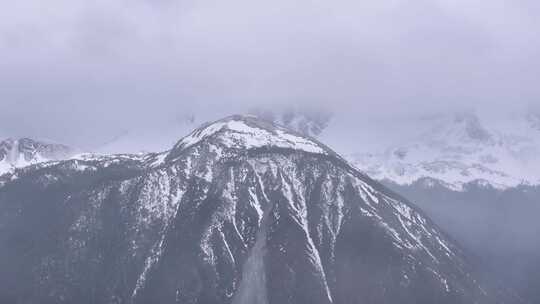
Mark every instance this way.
x=17 y=153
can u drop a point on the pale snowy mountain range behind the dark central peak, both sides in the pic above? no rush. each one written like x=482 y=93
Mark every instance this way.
x=453 y=150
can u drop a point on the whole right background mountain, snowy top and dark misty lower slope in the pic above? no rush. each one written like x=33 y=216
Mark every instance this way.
x=478 y=179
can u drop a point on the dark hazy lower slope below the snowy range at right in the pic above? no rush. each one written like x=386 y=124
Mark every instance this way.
x=499 y=226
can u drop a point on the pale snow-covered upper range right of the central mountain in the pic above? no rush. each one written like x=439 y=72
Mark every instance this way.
x=460 y=149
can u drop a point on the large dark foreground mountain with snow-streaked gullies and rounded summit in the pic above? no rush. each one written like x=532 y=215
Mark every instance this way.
x=239 y=211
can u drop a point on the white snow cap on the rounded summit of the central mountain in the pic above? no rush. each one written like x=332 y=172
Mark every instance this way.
x=243 y=132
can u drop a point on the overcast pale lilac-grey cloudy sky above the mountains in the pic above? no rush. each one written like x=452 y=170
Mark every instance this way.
x=82 y=71
